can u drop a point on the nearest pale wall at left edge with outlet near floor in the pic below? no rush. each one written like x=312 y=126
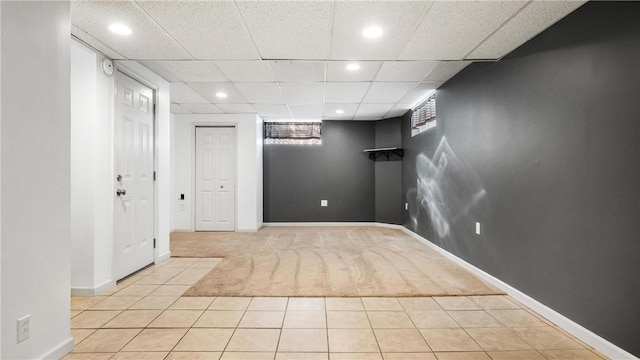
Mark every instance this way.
x=35 y=184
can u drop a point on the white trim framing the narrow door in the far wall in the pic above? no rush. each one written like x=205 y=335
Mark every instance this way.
x=192 y=137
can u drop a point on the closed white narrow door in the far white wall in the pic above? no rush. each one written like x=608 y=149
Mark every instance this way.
x=215 y=178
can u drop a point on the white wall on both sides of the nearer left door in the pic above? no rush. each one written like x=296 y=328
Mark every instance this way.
x=92 y=175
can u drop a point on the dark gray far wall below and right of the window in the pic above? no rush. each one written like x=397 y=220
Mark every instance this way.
x=297 y=177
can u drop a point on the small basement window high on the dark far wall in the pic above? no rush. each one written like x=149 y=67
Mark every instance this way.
x=293 y=133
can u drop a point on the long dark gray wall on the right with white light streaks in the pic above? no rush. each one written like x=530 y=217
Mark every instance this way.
x=543 y=149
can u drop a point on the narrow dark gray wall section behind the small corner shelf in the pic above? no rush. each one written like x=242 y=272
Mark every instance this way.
x=388 y=173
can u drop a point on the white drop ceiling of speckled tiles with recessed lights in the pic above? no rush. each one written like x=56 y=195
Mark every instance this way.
x=390 y=100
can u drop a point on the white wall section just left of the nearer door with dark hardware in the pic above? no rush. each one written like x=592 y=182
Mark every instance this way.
x=91 y=173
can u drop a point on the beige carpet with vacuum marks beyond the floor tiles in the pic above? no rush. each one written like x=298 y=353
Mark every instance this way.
x=324 y=261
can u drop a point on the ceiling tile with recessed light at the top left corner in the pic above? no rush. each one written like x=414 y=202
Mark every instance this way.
x=148 y=40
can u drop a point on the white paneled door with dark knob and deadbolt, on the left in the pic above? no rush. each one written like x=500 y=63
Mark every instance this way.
x=134 y=209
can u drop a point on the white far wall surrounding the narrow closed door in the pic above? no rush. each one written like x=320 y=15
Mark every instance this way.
x=249 y=168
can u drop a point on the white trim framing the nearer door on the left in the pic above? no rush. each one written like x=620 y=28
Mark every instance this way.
x=156 y=100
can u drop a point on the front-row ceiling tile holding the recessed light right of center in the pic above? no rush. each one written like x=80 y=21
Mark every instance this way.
x=397 y=19
